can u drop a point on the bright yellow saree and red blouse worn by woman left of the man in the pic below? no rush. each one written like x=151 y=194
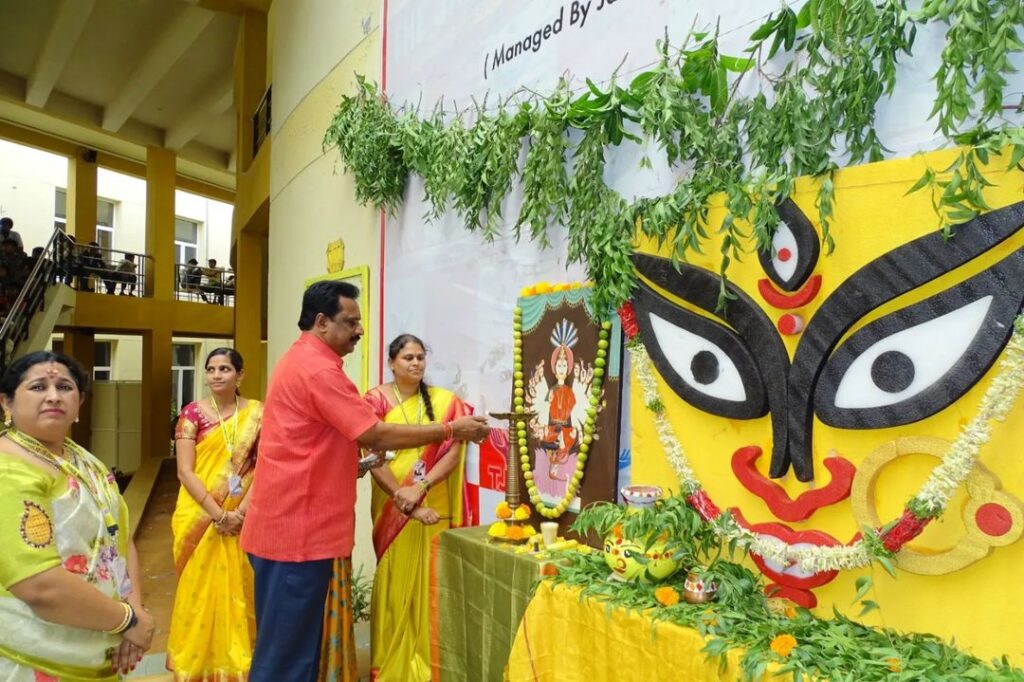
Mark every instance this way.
x=214 y=625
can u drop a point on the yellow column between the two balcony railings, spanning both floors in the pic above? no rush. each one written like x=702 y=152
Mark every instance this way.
x=160 y=180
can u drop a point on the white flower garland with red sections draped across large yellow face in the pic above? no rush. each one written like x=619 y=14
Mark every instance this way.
x=929 y=503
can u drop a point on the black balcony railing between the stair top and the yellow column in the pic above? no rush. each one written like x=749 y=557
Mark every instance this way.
x=92 y=269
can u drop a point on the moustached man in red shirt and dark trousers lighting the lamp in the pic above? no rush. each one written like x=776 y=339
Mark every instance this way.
x=300 y=530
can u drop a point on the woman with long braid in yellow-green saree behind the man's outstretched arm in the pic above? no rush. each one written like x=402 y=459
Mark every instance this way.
x=430 y=483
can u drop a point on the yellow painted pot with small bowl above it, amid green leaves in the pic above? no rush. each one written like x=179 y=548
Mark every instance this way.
x=627 y=557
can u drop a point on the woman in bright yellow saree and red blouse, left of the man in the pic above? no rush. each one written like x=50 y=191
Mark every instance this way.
x=214 y=625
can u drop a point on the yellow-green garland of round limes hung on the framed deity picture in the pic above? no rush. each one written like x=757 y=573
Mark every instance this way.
x=590 y=424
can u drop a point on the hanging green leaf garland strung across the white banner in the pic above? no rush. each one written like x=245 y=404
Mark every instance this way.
x=835 y=61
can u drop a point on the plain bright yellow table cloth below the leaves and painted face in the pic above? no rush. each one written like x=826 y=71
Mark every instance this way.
x=564 y=638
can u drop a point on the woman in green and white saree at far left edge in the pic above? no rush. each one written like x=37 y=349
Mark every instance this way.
x=71 y=608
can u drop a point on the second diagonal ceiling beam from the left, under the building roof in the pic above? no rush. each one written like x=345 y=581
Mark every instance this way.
x=179 y=37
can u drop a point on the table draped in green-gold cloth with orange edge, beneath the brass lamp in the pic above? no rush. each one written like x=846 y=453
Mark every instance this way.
x=479 y=592
